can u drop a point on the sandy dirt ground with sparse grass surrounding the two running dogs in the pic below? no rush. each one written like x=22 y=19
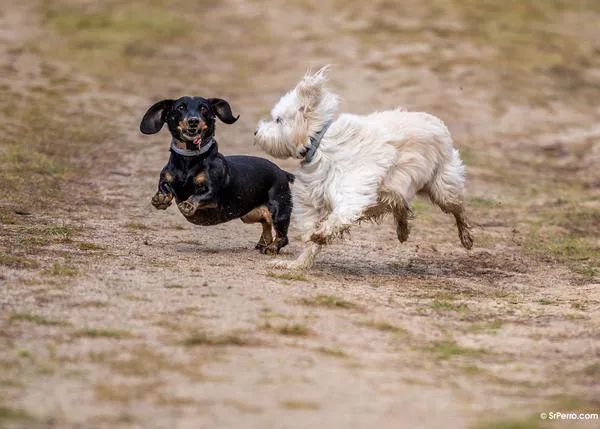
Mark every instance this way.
x=115 y=315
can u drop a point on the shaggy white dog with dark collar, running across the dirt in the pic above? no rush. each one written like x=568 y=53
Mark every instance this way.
x=359 y=167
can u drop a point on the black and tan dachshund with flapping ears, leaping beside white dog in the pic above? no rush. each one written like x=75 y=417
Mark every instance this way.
x=210 y=188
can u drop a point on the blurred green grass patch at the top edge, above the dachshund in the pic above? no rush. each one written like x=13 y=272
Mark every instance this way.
x=106 y=39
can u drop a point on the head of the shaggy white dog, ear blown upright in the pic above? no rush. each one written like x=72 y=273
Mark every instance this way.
x=299 y=114
